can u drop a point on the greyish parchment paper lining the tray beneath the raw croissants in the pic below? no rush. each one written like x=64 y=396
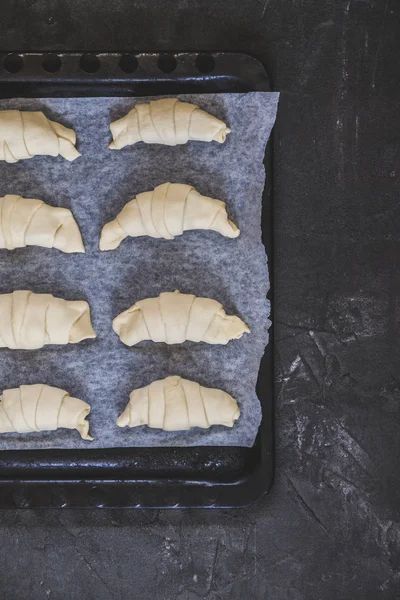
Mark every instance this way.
x=95 y=187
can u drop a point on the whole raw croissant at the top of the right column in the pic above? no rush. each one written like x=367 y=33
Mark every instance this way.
x=167 y=121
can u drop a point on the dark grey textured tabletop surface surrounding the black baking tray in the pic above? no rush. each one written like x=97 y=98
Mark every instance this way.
x=329 y=530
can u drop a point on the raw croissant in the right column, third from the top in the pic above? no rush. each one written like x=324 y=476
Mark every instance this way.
x=174 y=317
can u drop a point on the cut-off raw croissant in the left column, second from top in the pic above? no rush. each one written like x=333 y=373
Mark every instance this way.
x=31 y=222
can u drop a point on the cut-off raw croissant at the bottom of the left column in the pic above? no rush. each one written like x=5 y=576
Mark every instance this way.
x=41 y=407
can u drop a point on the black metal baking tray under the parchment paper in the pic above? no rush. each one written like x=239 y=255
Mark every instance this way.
x=208 y=477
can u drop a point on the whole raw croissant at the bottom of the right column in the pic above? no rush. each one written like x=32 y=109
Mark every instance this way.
x=174 y=404
